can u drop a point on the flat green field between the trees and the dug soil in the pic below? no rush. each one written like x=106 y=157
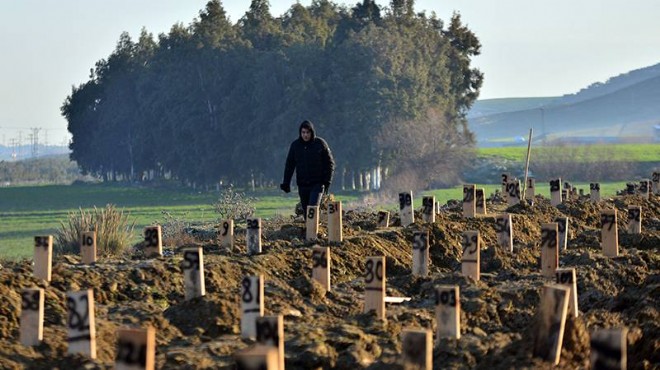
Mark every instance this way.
x=38 y=210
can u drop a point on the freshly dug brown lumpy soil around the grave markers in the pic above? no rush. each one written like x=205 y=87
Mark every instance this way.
x=330 y=330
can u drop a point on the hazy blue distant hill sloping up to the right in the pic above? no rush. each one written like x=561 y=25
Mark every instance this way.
x=625 y=108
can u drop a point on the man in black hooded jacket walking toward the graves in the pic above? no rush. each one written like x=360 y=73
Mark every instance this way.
x=312 y=160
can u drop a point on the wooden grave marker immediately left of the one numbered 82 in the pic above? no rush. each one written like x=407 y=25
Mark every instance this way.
x=32 y=317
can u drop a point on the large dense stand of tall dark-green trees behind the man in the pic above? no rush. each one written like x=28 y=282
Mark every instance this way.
x=216 y=101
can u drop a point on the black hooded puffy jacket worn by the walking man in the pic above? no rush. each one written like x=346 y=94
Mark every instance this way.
x=312 y=160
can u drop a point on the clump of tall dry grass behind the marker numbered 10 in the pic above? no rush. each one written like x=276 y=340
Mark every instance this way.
x=113 y=230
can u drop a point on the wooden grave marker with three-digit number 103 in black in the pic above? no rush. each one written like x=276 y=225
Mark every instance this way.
x=448 y=311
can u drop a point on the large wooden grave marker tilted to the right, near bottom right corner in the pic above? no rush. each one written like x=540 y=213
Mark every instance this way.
x=551 y=321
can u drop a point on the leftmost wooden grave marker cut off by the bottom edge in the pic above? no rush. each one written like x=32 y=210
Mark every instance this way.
x=136 y=349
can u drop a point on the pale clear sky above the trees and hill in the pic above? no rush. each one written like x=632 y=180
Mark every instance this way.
x=529 y=48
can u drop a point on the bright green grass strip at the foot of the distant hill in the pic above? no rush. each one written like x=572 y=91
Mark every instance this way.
x=584 y=153
